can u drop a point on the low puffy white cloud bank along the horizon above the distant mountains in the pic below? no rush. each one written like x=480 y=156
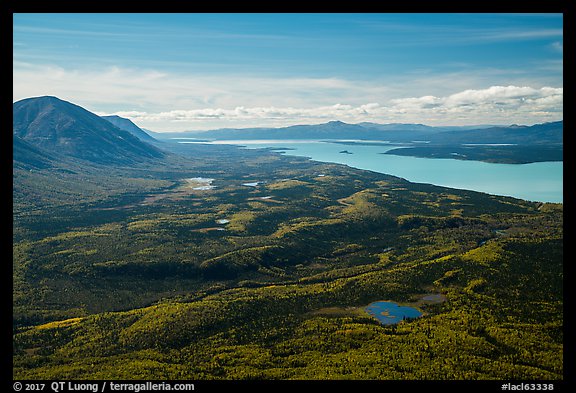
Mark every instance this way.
x=500 y=104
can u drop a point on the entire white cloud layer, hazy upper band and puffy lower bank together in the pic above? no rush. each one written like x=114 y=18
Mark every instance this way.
x=168 y=102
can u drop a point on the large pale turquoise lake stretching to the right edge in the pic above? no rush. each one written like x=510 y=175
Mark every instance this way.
x=541 y=181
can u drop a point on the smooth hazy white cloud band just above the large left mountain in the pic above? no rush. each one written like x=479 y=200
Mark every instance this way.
x=135 y=89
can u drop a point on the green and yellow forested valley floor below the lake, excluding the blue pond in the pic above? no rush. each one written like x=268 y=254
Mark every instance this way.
x=224 y=263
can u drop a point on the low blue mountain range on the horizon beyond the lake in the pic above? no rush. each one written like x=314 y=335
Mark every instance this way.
x=547 y=133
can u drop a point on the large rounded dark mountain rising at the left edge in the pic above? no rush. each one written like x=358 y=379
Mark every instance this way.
x=47 y=129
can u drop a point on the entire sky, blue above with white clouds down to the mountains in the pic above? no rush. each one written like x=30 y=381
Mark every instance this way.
x=174 y=72
